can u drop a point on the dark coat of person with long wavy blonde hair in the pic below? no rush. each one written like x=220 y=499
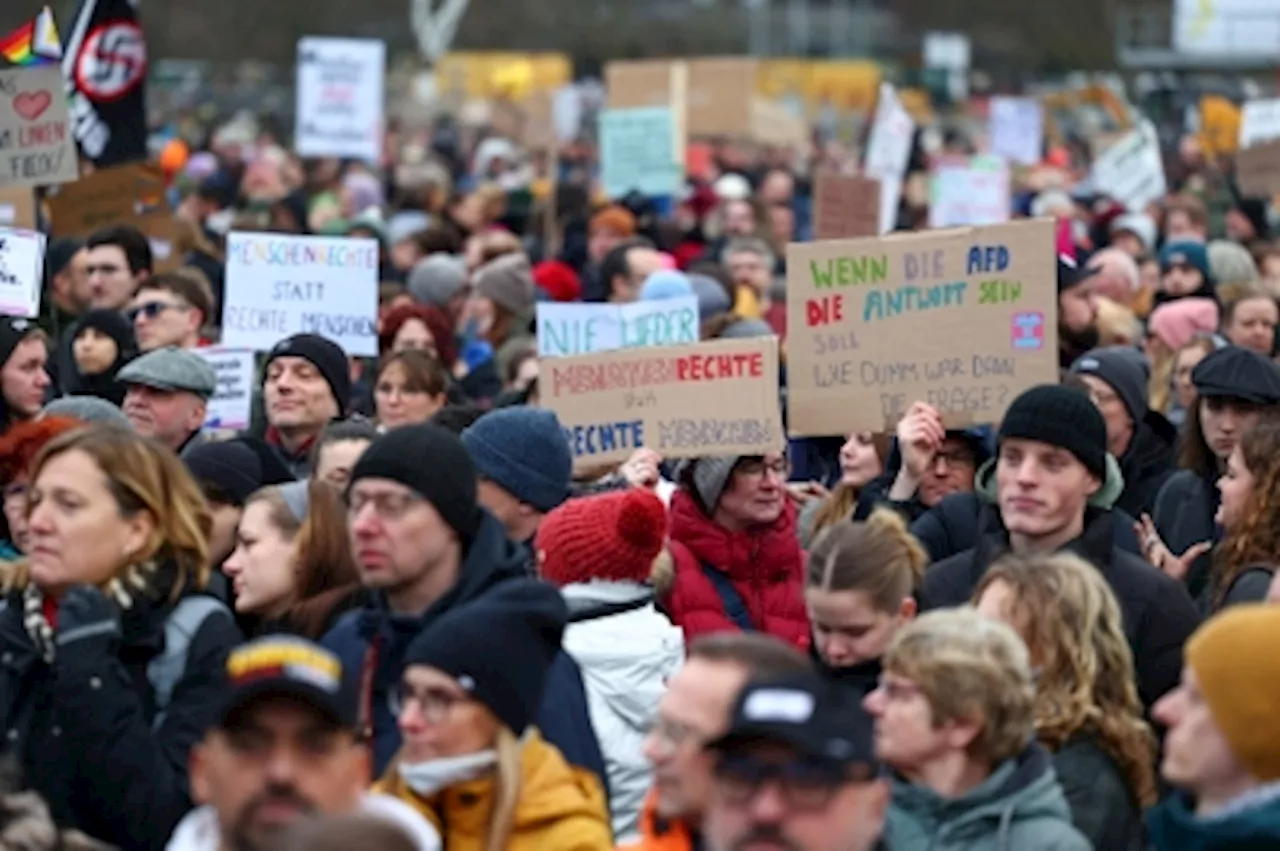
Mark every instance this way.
x=1103 y=807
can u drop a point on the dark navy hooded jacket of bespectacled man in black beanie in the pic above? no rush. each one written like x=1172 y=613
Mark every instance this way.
x=491 y=560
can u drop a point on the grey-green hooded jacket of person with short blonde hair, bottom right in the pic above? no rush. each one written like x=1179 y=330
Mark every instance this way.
x=1020 y=808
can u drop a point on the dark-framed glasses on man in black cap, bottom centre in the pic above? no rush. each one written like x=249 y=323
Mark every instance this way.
x=806 y=785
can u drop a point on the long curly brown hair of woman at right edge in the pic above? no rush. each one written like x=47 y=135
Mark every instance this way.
x=1256 y=539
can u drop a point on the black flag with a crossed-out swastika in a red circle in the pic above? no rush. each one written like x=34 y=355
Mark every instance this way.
x=106 y=67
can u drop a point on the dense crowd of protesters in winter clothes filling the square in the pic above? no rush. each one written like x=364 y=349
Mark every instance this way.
x=394 y=614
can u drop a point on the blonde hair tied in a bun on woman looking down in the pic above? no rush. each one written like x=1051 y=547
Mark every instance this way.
x=879 y=557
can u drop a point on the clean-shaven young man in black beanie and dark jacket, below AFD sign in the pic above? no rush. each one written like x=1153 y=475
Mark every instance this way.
x=1052 y=461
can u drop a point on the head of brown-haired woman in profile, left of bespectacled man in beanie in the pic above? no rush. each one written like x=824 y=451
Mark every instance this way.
x=292 y=569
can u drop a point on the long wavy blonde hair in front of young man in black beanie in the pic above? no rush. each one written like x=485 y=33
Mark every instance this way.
x=1086 y=680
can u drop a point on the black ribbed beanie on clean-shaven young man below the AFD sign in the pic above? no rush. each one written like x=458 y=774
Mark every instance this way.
x=1063 y=418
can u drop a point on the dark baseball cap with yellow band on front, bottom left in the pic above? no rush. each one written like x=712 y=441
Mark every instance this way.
x=290 y=667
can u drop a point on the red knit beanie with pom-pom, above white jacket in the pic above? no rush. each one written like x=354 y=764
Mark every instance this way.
x=612 y=537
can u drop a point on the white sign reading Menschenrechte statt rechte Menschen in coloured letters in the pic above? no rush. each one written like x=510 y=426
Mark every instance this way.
x=280 y=286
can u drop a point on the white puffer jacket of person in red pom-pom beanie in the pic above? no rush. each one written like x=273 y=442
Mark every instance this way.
x=627 y=660
